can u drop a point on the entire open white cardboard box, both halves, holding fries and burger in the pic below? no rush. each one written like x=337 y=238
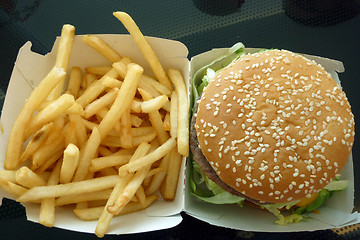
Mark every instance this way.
x=29 y=70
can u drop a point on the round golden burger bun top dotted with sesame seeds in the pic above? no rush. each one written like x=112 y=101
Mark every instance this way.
x=275 y=126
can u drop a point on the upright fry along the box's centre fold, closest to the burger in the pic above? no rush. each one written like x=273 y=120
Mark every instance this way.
x=183 y=107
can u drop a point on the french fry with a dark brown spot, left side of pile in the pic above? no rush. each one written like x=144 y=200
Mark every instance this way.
x=36 y=141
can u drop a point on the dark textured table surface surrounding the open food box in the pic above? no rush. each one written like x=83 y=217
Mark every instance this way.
x=328 y=28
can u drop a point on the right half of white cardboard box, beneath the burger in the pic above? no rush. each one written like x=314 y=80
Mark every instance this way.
x=336 y=212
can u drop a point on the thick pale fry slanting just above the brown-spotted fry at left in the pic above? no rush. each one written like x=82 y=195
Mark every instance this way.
x=50 y=113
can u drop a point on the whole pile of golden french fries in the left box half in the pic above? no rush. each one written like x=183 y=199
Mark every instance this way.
x=108 y=143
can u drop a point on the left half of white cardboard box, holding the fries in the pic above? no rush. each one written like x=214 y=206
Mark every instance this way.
x=30 y=68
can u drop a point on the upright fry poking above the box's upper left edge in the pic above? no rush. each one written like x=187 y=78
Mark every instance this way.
x=63 y=56
